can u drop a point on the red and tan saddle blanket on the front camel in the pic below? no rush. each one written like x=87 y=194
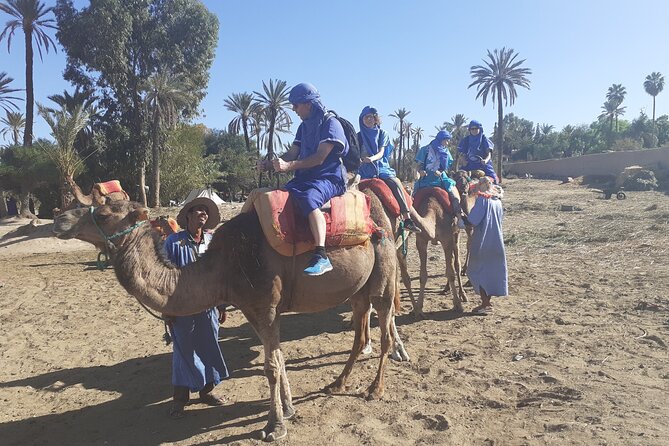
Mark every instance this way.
x=348 y=221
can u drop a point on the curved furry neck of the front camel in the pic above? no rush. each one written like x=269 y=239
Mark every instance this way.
x=146 y=274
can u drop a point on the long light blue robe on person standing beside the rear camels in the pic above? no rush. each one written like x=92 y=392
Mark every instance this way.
x=487 y=258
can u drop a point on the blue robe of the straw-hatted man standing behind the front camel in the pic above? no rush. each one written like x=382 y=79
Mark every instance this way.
x=197 y=359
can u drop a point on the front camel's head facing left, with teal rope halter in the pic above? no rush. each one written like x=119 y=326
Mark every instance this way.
x=95 y=224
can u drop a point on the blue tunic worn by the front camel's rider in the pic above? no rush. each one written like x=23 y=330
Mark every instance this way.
x=312 y=188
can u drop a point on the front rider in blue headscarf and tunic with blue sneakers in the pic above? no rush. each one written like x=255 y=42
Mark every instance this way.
x=315 y=156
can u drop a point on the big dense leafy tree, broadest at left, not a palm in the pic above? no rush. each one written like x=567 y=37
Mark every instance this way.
x=114 y=46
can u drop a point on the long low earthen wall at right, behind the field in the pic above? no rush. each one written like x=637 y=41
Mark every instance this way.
x=611 y=163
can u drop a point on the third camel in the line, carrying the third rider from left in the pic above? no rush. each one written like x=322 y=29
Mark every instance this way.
x=446 y=232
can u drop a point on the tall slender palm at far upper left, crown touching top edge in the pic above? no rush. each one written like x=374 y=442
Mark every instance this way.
x=30 y=16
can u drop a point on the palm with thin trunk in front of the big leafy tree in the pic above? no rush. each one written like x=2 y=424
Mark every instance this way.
x=166 y=97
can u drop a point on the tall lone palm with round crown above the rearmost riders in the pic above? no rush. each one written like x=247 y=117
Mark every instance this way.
x=498 y=78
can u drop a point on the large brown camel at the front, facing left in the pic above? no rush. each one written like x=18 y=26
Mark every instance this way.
x=241 y=269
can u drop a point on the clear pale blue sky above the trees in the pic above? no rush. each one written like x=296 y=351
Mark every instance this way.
x=417 y=55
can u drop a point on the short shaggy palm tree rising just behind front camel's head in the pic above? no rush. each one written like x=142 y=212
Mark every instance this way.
x=65 y=126
